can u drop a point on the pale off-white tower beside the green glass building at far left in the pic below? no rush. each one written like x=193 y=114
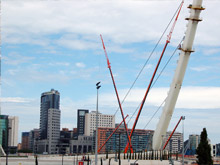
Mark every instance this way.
x=13 y=131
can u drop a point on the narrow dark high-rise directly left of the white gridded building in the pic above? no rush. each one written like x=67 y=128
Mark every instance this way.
x=81 y=121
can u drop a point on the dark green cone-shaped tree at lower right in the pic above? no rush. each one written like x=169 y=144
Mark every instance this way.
x=204 y=150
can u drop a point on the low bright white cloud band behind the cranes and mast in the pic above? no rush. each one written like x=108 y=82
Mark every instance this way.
x=189 y=98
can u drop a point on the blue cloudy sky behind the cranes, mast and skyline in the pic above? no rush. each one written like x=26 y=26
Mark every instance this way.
x=56 y=44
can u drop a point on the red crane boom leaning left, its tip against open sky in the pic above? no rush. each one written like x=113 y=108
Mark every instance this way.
x=119 y=102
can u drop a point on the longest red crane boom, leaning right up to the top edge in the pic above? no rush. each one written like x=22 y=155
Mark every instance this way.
x=152 y=78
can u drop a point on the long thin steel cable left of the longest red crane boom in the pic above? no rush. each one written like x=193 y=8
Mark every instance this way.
x=139 y=73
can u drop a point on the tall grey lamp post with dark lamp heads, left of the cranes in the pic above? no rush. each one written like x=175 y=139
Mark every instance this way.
x=96 y=136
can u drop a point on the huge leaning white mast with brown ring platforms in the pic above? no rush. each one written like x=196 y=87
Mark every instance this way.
x=186 y=50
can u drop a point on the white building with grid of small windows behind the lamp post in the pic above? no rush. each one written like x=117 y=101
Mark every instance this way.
x=107 y=121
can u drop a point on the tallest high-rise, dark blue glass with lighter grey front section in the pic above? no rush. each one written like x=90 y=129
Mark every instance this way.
x=49 y=122
